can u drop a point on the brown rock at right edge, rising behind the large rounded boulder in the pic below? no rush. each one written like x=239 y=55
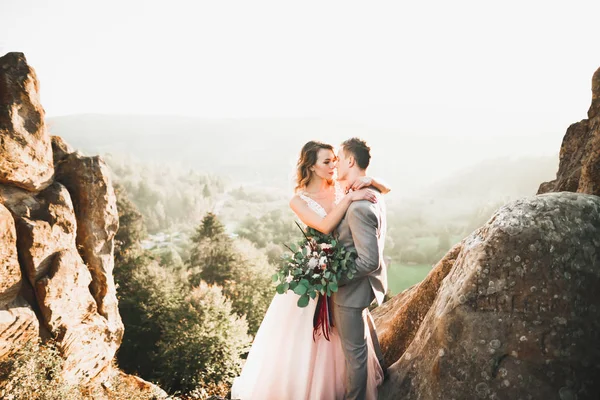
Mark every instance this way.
x=579 y=168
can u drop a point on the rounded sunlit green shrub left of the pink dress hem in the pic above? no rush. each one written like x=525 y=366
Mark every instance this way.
x=201 y=343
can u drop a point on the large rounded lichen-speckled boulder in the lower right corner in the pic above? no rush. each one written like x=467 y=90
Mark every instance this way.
x=518 y=315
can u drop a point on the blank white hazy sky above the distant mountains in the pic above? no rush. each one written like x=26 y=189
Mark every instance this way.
x=465 y=68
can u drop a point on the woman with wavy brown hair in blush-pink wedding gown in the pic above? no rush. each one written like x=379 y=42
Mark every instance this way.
x=285 y=363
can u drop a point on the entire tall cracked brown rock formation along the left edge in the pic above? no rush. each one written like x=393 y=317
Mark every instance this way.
x=56 y=237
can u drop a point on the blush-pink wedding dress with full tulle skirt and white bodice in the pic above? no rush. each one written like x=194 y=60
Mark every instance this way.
x=285 y=363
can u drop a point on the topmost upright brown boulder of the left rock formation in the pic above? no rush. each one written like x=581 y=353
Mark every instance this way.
x=25 y=151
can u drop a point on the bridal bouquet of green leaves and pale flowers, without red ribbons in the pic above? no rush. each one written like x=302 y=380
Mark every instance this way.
x=316 y=264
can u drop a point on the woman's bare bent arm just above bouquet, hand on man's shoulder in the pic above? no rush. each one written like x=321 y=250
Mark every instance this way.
x=327 y=224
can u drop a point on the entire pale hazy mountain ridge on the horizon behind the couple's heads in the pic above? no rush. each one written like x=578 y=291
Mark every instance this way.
x=264 y=151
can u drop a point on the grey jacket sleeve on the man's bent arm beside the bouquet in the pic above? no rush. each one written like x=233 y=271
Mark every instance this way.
x=364 y=225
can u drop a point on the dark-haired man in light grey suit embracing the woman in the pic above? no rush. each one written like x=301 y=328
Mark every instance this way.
x=362 y=229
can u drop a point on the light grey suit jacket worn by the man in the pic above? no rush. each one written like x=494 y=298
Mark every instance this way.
x=363 y=229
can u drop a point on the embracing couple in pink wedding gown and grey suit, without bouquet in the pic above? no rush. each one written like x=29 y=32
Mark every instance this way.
x=286 y=362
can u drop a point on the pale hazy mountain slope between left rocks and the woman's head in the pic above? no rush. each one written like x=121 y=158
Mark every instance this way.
x=245 y=151
